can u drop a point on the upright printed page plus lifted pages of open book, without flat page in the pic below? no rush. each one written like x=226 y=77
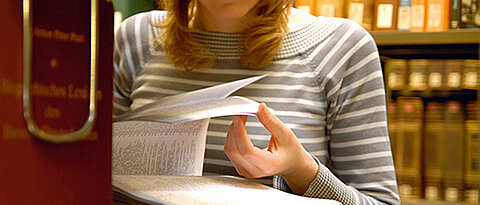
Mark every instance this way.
x=167 y=137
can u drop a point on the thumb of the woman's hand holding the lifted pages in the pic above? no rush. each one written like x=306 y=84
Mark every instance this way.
x=273 y=124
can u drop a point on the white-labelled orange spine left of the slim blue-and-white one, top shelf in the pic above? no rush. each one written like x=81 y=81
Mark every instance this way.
x=386 y=15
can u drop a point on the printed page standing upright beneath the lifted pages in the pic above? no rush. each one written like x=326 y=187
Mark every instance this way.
x=154 y=148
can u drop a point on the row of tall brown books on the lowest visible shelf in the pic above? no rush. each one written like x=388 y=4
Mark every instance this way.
x=436 y=148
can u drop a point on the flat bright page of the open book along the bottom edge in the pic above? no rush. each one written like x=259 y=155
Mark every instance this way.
x=204 y=190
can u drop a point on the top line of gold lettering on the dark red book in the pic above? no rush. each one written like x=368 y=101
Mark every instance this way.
x=59 y=35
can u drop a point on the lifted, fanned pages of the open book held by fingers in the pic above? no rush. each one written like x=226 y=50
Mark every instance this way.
x=198 y=104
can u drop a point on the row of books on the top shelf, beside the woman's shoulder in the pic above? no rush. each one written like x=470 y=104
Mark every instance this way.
x=404 y=15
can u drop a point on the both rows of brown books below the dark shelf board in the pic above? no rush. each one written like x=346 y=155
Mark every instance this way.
x=434 y=128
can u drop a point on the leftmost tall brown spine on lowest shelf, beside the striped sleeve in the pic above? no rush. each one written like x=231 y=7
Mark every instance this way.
x=409 y=147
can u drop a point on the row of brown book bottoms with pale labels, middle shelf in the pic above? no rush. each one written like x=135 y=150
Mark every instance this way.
x=432 y=74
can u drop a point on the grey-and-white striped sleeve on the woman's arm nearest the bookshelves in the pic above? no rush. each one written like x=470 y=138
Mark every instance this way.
x=361 y=169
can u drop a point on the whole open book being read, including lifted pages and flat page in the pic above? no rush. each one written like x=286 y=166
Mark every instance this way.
x=158 y=152
